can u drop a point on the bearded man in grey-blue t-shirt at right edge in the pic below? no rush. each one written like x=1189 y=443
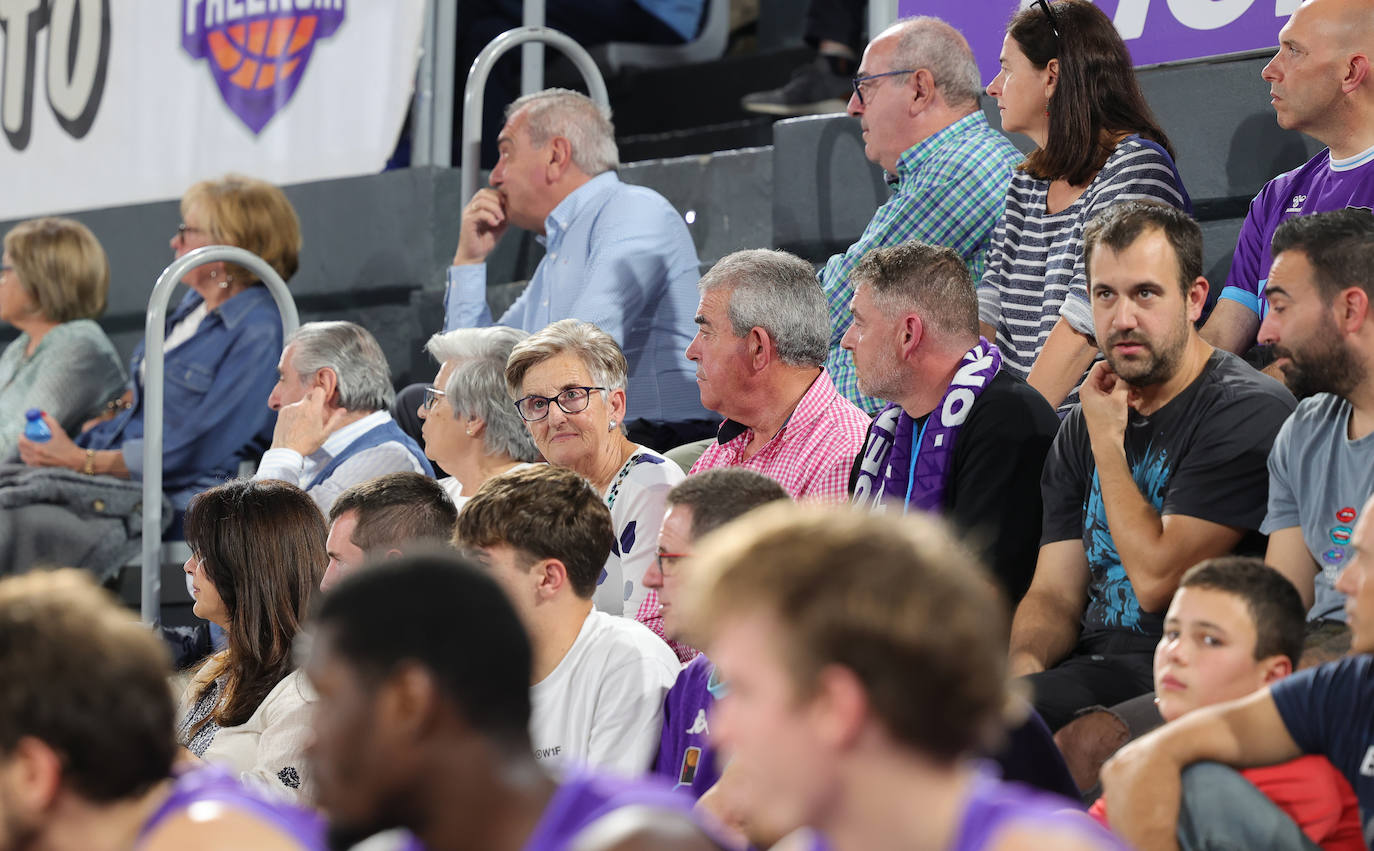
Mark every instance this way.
x=1322 y=465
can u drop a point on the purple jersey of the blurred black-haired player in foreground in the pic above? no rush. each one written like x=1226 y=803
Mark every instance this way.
x=585 y=798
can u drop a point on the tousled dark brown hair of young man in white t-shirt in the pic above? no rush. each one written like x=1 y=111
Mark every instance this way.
x=543 y=512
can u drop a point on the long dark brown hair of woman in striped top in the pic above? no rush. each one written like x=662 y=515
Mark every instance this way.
x=1099 y=97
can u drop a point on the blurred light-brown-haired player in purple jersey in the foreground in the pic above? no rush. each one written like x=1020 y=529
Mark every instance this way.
x=870 y=641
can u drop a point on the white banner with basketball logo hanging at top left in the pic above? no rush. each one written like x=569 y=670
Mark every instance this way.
x=112 y=102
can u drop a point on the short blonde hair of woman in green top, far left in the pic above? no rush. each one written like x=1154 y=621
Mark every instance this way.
x=61 y=266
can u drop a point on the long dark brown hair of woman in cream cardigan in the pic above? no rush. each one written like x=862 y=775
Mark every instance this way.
x=263 y=546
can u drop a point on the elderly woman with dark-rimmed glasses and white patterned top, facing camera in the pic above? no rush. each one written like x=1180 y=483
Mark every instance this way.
x=570 y=387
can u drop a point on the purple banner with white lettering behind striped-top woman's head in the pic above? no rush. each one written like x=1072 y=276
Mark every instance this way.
x=1155 y=31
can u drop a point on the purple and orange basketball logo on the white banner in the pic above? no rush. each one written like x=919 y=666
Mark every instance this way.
x=258 y=50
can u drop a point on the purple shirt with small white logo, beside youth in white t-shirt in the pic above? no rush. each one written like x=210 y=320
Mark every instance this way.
x=686 y=758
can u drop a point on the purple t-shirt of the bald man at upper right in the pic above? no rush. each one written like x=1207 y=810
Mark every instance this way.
x=1320 y=186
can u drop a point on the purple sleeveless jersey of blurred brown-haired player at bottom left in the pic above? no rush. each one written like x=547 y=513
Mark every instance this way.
x=208 y=784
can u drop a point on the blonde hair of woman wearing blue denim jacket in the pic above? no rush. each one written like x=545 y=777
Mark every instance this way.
x=252 y=215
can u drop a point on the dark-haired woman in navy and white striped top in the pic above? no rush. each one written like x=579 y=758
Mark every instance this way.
x=1067 y=82
